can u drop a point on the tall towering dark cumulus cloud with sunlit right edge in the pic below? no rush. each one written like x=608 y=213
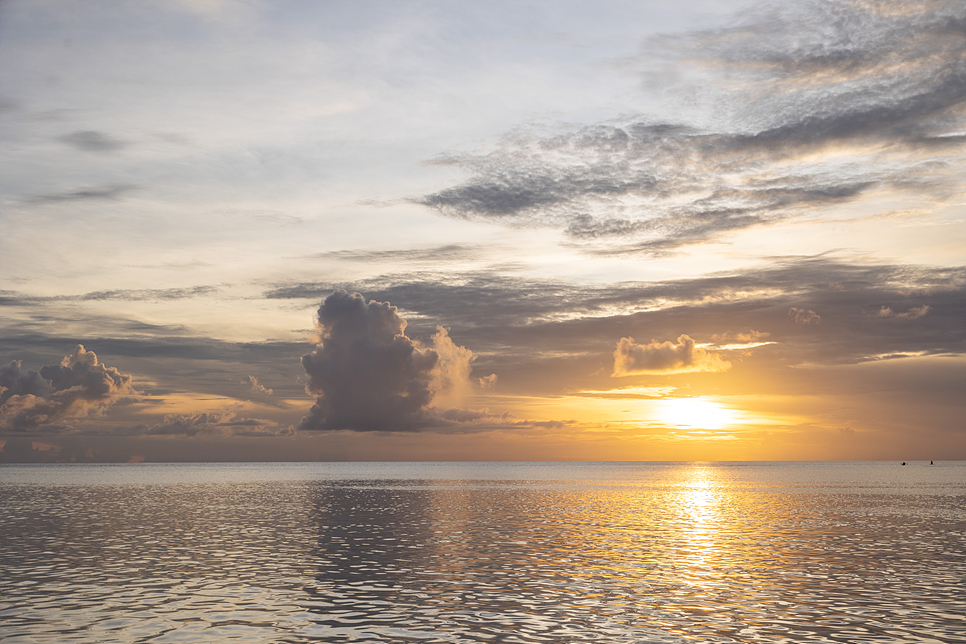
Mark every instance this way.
x=369 y=375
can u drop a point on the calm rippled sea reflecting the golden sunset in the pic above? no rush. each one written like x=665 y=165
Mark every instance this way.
x=497 y=552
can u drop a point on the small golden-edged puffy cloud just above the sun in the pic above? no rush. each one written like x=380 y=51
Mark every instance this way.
x=683 y=356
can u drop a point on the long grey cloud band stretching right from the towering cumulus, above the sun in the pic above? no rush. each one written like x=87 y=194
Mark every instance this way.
x=522 y=325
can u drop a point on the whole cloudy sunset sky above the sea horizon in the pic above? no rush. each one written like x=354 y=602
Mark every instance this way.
x=351 y=231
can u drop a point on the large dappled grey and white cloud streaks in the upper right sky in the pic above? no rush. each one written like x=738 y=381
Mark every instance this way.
x=884 y=82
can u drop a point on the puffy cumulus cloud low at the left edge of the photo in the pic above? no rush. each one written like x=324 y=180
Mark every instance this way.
x=78 y=386
